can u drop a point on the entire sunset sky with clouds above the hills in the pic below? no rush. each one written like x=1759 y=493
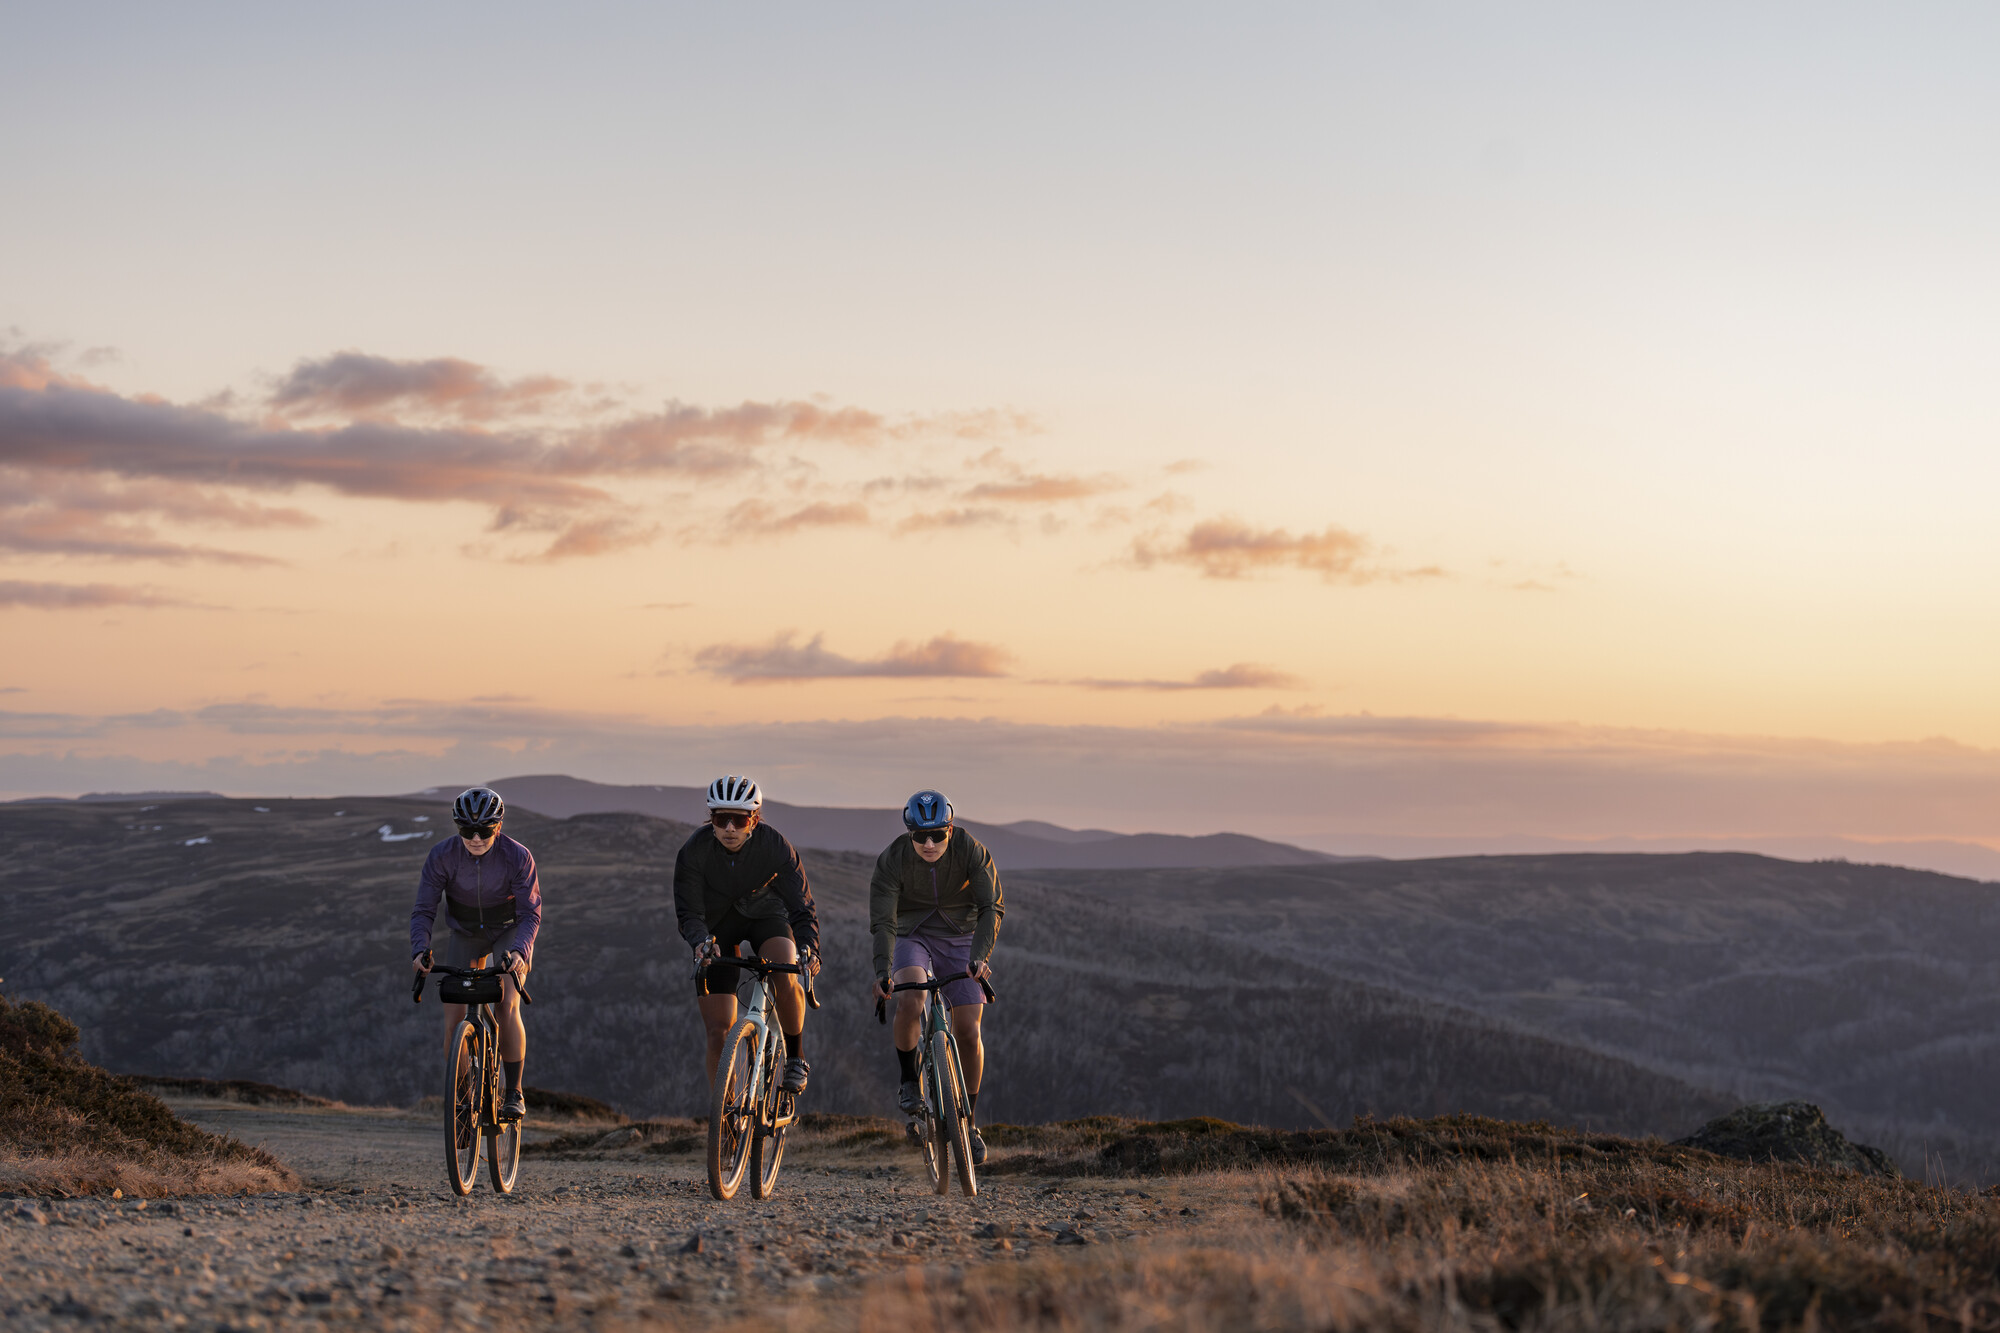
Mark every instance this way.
x=1333 y=423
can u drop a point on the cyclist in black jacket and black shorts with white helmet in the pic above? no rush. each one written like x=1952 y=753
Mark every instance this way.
x=739 y=882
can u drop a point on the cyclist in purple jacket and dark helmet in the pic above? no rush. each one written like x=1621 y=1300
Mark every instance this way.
x=493 y=902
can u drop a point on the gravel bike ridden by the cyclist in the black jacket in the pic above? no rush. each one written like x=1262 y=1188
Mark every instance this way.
x=751 y=1110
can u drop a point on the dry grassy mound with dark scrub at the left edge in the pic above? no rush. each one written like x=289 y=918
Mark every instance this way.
x=67 y=1128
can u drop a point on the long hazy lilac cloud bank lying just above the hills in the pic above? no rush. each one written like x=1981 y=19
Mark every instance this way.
x=1277 y=776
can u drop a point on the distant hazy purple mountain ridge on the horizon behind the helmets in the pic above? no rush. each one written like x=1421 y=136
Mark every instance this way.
x=1029 y=846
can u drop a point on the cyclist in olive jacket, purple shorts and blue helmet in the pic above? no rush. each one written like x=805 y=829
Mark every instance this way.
x=935 y=906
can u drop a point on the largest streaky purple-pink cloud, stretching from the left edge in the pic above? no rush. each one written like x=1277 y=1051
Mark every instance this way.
x=417 y=431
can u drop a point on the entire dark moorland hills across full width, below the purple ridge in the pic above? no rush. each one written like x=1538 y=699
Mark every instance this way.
x=1641 y=994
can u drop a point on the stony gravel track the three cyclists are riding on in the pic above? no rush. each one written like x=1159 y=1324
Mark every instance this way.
x=625 y=1238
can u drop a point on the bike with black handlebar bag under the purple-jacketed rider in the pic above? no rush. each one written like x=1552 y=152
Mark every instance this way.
x=473 y=1078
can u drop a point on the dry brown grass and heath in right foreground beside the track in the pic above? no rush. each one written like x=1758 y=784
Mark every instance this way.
x=1443 y=1226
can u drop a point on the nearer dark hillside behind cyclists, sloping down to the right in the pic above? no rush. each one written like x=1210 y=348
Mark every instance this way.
x=267 y=940
